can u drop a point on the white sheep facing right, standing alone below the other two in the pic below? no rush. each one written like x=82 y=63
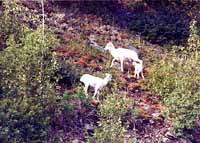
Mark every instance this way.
x=96 y=82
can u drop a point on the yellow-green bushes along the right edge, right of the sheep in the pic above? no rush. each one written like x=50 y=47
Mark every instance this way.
x=176 y=79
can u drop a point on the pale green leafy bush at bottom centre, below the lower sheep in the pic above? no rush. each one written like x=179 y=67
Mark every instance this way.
x=110 y=127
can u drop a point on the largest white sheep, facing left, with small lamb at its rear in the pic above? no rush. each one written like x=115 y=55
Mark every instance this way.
x=121 y=54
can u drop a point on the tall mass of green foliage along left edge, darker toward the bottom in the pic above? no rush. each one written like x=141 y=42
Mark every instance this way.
x=25 y=70
